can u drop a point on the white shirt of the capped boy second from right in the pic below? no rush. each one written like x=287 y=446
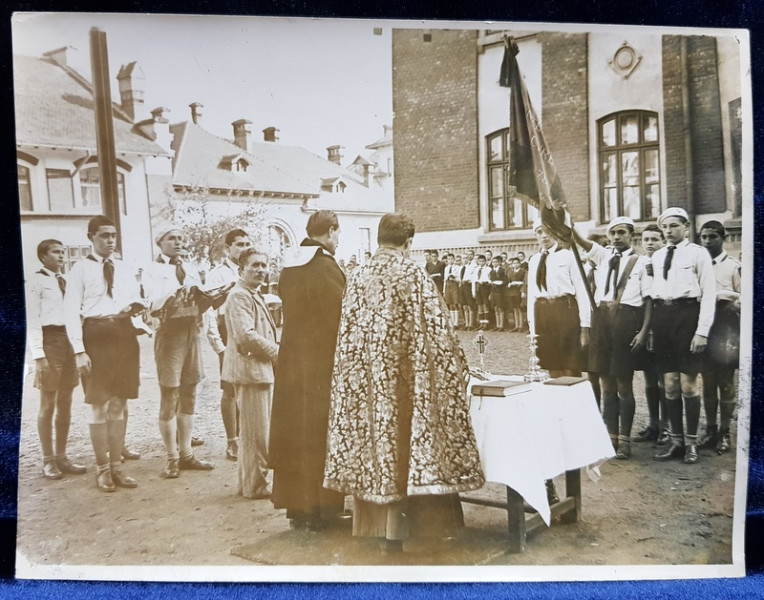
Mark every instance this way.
x=691 y=276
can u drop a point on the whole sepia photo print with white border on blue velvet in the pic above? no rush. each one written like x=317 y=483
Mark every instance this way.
x=375 y=300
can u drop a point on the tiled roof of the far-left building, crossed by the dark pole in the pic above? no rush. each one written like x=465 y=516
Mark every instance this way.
x=54 y=107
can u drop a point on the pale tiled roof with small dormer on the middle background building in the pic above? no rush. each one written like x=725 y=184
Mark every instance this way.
x=200 y=161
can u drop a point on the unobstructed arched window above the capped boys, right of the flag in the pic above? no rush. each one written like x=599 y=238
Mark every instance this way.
x=629 y=159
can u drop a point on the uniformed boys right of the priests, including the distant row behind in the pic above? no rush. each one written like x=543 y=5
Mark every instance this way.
x=672 y=312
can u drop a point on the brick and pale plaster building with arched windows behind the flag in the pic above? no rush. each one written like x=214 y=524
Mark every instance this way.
x=635 y=120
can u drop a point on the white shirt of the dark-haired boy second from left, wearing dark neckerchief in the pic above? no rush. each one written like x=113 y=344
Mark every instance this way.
x=86 y=295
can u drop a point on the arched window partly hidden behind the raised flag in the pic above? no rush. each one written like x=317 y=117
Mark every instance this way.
x=504 y=212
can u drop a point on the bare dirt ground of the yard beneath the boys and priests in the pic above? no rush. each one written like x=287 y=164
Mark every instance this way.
x=640 y=512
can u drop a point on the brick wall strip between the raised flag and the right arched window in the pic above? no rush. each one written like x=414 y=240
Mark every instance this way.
x=565 y=114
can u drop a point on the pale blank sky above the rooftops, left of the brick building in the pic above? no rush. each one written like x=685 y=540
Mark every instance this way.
x=320 y=82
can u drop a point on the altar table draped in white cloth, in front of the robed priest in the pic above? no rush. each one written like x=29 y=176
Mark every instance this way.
x=532 y=436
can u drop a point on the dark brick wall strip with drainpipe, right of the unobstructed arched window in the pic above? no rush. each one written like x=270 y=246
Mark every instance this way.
x=705 y=180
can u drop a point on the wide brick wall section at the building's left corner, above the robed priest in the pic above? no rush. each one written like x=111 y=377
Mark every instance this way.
x=435 y=128
